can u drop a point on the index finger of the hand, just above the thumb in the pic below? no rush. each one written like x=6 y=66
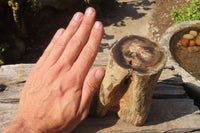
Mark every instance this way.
x=89 y=52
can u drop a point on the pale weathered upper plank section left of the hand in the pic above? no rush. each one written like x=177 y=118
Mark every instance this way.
x=13 y=77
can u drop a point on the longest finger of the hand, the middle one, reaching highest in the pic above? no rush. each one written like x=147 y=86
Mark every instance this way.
x=79 y=39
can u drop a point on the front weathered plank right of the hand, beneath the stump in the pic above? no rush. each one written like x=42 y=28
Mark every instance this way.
x=165 y=115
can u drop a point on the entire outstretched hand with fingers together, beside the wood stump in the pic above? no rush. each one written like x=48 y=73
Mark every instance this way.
x=60 y=88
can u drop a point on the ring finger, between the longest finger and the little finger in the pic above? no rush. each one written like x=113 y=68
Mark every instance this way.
x=60 y=44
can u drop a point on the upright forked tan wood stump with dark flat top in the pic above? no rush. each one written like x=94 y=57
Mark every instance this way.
x=134 y=66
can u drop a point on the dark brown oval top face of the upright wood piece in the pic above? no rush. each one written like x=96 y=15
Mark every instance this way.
x=138 y=54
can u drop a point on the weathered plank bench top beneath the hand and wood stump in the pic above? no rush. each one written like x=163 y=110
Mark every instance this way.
x=166 y=114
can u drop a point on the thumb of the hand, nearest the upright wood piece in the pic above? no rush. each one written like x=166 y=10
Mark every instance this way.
x=90 y=86
